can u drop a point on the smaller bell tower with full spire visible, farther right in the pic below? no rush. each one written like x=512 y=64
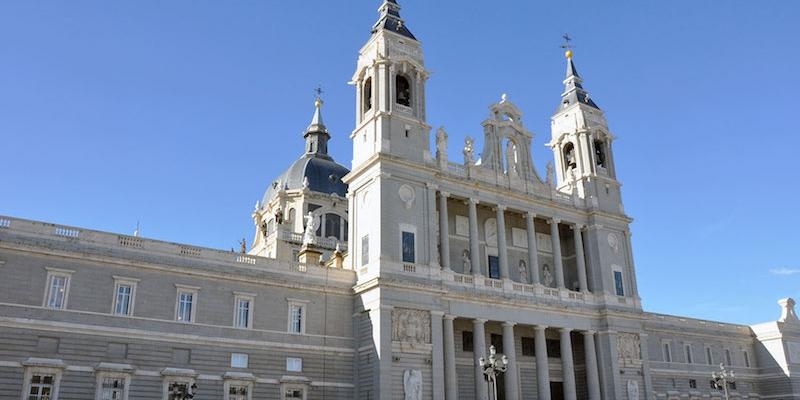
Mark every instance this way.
x=581 y=143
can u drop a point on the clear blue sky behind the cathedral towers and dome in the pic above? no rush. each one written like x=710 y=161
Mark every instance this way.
x=178 y=114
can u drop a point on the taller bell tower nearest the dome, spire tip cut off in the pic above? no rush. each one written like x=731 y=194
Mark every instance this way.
x=390 y=92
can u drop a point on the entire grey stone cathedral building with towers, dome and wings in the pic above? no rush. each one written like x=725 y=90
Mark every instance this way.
x=396 y=278
